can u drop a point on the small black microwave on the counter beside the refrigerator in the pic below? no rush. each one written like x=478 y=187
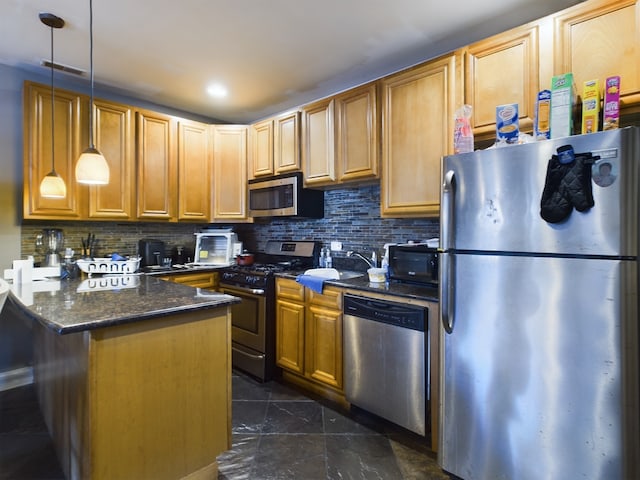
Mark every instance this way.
x=414 y=263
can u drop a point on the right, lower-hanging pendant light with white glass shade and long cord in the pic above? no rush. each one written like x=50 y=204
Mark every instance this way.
x=92 y=168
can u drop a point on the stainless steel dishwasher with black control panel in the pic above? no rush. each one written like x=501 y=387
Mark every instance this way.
x=386 y=361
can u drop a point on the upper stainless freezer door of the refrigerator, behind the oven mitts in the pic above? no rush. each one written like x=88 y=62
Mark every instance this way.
x=494 y=202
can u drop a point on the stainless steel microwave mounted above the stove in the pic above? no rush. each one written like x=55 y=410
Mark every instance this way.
x=284 y=196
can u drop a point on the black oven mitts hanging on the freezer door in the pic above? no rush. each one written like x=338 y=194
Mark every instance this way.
x=567 y=185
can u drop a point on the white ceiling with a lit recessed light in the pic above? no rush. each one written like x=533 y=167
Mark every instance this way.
x=271 y=55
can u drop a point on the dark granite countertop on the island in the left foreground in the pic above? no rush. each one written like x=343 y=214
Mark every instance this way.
x=68 y=306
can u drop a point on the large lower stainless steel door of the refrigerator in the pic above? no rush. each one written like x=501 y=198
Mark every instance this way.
x=533 y=370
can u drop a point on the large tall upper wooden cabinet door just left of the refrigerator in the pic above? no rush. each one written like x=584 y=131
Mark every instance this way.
x=418 y=106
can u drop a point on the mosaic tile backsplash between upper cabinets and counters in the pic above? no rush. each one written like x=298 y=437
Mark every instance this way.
x=352 y=216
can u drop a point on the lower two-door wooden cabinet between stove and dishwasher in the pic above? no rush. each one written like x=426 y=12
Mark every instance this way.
x=309 y=337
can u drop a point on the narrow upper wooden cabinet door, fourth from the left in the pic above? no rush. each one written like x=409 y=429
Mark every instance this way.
x=195 y=171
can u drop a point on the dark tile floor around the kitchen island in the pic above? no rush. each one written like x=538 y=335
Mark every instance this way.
x=278 y=433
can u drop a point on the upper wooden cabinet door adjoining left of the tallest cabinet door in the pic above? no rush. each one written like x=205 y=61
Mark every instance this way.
x=357 y=134
